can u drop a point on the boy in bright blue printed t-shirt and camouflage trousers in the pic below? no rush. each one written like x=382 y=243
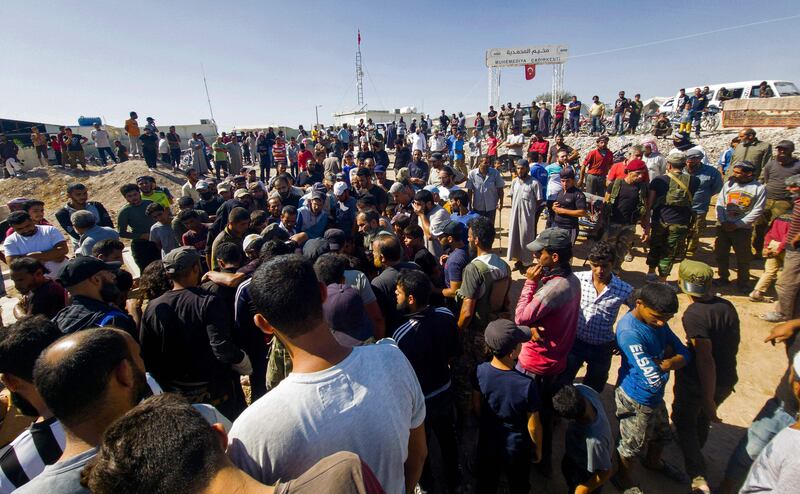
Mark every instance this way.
x=650 y=350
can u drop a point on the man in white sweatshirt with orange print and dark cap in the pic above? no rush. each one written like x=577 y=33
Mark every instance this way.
x=739 y=205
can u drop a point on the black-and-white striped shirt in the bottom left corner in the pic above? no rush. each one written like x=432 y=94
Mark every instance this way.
x=25 y=458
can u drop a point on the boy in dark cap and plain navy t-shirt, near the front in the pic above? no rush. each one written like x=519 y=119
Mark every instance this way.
x=507 y=404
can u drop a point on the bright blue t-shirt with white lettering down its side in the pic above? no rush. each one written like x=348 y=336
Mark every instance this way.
x=639 y=375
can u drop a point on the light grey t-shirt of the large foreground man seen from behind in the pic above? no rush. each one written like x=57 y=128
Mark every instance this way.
x=366 y=404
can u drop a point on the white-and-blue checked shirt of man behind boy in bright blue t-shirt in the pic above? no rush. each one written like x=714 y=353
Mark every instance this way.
x=599 y=311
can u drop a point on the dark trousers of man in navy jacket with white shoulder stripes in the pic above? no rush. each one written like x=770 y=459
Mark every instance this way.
x=440 y=422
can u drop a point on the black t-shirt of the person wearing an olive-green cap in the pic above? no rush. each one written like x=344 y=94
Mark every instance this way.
x=715 y=319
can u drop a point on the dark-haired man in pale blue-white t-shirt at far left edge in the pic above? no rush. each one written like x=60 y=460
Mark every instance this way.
x=41 y=242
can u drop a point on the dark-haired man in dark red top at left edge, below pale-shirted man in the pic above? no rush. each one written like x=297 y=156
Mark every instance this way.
x=40 y=295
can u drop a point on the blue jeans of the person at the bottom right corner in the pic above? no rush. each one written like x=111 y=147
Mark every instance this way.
x=768 y=423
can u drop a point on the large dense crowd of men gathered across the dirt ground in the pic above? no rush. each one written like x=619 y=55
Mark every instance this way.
x=281 y=320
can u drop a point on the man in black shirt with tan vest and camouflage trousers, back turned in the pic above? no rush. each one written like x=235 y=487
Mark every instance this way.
x=670 y=200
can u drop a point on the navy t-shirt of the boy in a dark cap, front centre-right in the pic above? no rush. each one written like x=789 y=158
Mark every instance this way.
x=507 y=399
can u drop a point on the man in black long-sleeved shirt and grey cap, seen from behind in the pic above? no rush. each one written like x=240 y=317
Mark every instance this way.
x=186 y=341
